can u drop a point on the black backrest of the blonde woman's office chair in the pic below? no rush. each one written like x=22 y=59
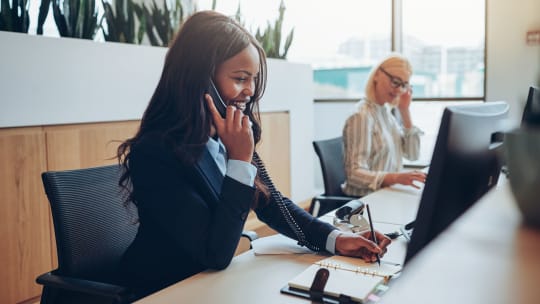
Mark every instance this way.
x=330 y=153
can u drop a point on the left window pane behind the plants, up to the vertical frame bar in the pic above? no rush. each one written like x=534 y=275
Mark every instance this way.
x=341 y=39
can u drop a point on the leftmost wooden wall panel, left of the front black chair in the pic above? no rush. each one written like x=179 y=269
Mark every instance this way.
x=25 y=246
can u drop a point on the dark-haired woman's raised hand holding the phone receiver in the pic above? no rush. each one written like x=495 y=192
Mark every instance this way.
x=234 y=131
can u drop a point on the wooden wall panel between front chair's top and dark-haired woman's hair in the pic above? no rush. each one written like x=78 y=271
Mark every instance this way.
x=86 y=145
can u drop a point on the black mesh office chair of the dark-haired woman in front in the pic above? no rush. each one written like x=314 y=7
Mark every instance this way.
x=93 y=229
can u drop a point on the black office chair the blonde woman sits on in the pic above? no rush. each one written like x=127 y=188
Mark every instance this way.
x=330 y=153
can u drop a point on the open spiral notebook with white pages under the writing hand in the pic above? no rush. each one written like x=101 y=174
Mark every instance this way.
x=348 y=277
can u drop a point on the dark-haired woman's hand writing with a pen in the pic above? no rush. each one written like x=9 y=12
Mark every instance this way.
x=359 y=245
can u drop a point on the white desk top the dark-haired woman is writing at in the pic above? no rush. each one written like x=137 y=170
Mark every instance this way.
x=258 y=279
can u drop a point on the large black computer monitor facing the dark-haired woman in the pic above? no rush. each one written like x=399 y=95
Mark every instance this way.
x=464 y=166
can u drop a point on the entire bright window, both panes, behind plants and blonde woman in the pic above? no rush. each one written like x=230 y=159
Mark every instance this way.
x=343 y=39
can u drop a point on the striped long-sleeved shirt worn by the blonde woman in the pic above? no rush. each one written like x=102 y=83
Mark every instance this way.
x=374 y=144
